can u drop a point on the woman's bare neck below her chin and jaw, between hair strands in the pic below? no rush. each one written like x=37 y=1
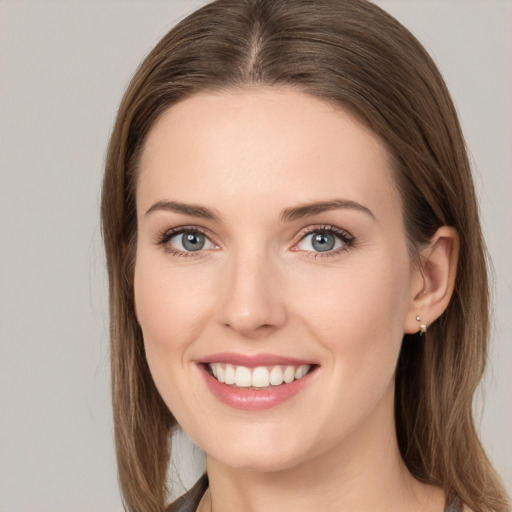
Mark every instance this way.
x=364 y=472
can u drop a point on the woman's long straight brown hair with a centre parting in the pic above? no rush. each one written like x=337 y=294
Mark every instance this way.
x=352 y=54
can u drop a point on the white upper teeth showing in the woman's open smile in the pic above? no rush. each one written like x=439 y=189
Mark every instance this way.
x=259 y=377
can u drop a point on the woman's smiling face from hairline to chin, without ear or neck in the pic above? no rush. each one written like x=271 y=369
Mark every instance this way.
x=271 y=243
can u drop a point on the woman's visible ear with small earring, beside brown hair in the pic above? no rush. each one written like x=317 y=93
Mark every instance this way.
x=433 y=284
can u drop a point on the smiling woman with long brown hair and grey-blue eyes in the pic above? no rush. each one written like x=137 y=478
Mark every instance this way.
x=285 y=210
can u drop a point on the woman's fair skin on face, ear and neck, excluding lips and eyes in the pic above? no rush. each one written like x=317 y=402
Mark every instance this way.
x=259 y=286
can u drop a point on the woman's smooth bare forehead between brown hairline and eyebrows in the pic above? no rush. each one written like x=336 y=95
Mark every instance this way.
x=255 y=145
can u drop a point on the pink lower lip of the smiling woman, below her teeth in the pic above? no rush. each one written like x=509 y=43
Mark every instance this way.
x=254 y=399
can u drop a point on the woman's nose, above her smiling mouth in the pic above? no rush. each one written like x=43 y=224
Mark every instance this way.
x=252 y=303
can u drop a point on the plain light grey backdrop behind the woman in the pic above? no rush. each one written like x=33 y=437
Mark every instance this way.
x=63 y=68
